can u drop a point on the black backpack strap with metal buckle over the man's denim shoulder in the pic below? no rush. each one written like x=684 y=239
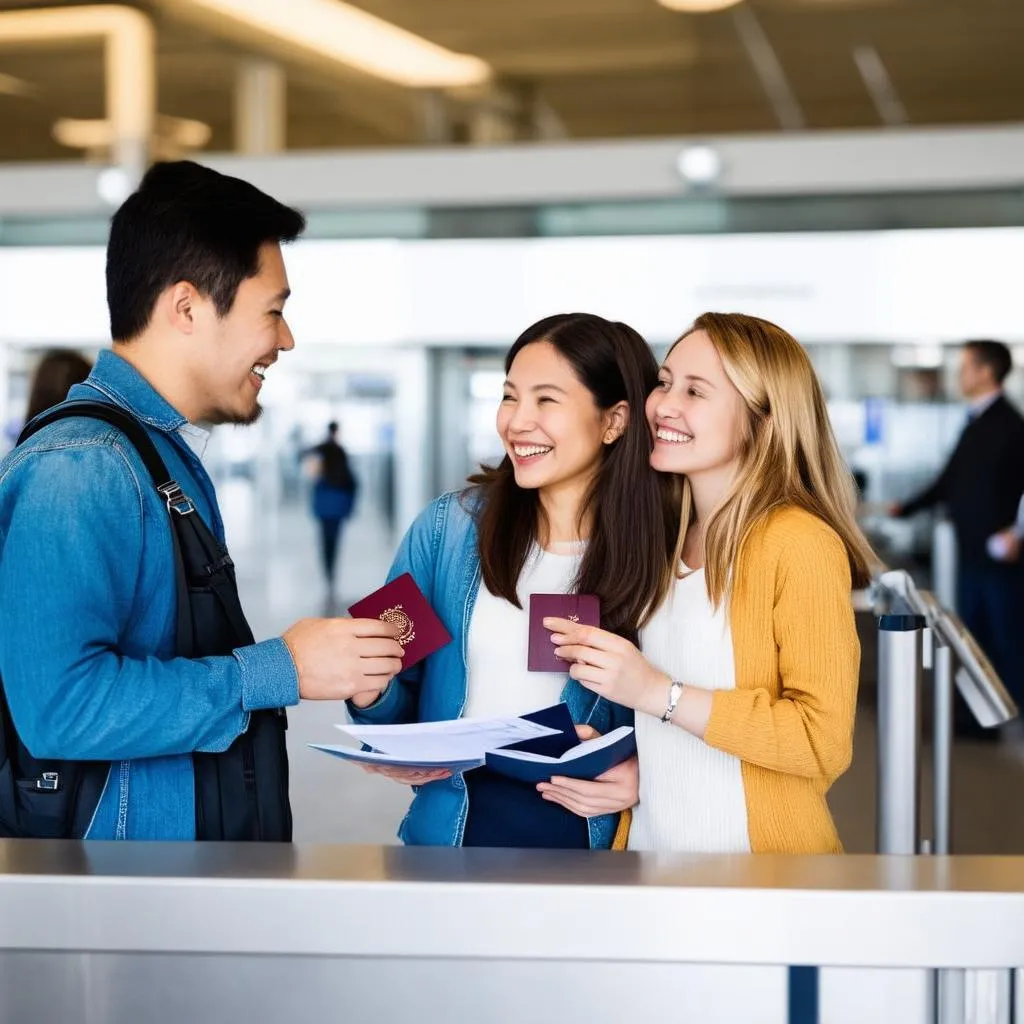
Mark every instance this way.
x=179 y=504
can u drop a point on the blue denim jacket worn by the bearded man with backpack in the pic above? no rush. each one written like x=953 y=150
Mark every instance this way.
x=88 y=588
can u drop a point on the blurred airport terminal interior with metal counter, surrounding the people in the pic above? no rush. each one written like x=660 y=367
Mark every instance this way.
x=850 y=169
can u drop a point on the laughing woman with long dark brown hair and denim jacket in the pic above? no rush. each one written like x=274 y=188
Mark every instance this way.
x=572 y=508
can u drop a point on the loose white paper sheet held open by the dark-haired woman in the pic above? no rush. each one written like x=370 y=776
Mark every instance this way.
x=459 y=745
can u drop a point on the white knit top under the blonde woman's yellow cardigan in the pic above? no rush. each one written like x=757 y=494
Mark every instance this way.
x=692 y=795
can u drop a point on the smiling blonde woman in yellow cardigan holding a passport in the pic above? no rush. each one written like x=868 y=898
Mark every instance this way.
x=747 y=690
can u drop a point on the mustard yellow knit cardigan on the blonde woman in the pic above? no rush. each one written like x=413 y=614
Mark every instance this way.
x=790 y=719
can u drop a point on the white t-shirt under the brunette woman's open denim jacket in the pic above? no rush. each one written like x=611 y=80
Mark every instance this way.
x=498 y=684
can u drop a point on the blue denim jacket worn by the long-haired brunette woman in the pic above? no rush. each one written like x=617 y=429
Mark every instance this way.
x=441 y=553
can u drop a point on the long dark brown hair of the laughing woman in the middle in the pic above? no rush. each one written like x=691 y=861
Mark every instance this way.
x=635 y=517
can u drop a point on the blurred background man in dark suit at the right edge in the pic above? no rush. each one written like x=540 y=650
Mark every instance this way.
x=982 y=488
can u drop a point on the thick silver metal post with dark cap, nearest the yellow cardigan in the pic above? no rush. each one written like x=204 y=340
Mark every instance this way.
x=900 y=733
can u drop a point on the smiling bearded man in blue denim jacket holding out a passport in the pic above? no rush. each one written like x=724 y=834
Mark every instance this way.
x=90 y=656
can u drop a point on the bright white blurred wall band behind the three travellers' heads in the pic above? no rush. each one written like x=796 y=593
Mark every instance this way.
x=920 y=286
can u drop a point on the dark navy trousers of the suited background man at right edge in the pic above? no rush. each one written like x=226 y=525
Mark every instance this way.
x=991 y=602
